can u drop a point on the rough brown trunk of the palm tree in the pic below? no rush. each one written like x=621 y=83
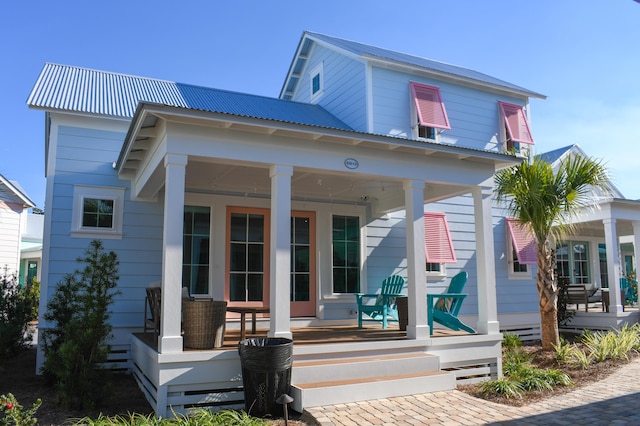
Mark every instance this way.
x=547 y=297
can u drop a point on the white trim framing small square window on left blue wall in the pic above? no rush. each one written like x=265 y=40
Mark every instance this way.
x=115 y=194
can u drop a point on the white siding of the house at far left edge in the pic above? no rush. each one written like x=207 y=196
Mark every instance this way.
x=11 y=217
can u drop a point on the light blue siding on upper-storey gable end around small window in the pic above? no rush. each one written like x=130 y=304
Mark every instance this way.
x=344 y=93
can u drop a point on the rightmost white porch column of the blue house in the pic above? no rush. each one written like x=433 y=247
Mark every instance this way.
x=485 y=260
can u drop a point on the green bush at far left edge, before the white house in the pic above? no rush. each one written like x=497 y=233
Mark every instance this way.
x=17 y=306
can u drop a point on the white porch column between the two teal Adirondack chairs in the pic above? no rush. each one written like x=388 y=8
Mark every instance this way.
x=417 y=328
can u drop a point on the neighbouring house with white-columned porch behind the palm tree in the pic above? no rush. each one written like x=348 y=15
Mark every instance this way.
x=602 y=251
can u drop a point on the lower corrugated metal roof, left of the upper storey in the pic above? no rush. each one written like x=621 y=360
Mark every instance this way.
x=69 y=88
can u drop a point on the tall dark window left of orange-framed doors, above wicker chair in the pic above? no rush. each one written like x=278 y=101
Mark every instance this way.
x=195 y=258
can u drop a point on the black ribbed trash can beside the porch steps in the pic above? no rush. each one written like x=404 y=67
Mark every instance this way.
x=266 y=373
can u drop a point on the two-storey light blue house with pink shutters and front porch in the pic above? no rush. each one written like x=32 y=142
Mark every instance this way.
x=369 y=163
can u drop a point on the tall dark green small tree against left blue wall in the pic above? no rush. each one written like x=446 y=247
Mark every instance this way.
x=77 y=345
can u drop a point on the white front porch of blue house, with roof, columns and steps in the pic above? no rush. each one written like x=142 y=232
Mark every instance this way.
x=177 y=157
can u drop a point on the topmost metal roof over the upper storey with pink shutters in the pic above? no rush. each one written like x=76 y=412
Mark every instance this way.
x=416 y=61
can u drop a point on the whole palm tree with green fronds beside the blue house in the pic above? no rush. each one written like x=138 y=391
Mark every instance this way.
x=546 y=201
